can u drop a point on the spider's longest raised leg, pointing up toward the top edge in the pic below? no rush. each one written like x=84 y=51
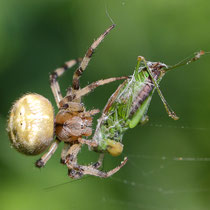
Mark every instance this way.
x=87 y=57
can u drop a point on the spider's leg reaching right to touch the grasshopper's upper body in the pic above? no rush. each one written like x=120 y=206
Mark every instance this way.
x=92 y=86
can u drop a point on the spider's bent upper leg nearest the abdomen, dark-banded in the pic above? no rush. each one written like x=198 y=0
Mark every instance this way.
x=57 y=73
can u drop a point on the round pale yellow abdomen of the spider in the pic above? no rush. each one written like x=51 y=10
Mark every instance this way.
x=31 y=124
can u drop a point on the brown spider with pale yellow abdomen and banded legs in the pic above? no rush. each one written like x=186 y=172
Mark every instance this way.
x=32 y=125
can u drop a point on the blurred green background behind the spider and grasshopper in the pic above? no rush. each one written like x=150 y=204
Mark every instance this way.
x=38 y=36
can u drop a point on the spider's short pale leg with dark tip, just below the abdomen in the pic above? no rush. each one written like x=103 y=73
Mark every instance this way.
x=43 y=160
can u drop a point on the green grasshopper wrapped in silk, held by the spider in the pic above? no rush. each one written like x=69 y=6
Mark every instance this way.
x=128 y=105
